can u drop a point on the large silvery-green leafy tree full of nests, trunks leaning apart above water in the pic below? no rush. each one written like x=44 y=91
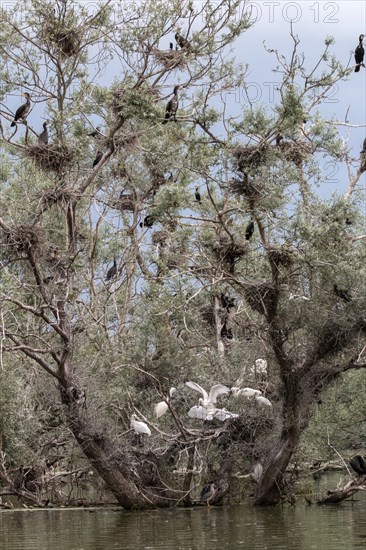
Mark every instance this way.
x=193 y=292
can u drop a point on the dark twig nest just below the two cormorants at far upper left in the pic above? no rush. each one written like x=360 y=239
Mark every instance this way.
x=52 y=157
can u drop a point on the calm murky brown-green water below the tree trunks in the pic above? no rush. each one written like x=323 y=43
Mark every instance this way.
x=236 y=527
